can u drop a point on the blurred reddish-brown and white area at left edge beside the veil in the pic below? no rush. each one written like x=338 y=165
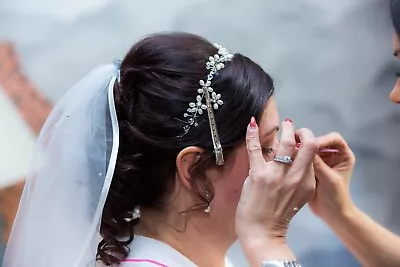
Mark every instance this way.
x=23 y=110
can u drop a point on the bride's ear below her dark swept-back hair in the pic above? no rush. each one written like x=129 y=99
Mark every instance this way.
x=185 y=161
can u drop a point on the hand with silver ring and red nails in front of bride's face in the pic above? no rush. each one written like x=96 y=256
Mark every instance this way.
x=274 y=192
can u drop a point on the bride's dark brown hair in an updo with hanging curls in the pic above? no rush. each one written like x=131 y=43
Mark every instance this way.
x=159 y=78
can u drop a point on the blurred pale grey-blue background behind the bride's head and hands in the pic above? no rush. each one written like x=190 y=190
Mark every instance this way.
x=331 y=61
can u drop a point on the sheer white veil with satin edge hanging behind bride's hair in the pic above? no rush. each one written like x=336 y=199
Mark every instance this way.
x=58 y=220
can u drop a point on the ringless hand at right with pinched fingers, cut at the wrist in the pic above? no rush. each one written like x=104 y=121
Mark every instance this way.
x=333 y=172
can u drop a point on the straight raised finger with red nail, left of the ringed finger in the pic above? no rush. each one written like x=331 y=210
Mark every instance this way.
x=253 y=145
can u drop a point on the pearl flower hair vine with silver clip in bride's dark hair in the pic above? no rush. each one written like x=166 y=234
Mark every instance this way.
x=209 y=100
